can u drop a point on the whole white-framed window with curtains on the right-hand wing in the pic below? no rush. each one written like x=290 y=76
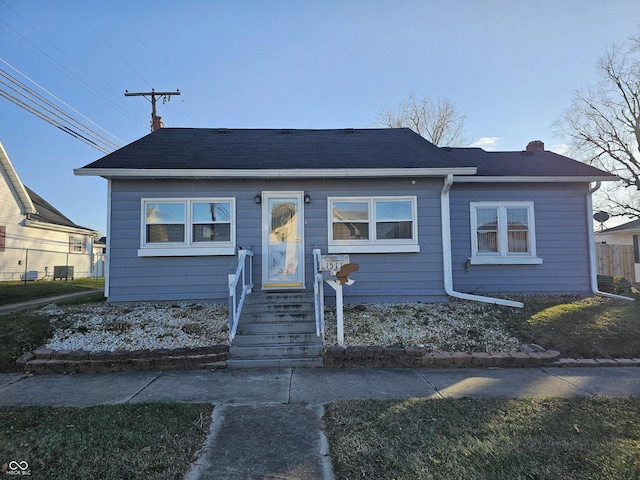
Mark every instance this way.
x=503 y=233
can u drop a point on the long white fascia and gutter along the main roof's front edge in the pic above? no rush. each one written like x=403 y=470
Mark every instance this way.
x=273 y=173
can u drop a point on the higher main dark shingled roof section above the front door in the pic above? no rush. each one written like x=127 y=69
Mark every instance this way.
x=211 y=148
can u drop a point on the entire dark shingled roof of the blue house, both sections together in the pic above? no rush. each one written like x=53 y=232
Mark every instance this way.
x=288 y=149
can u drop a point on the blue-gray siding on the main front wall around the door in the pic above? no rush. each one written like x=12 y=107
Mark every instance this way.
x=382 y=277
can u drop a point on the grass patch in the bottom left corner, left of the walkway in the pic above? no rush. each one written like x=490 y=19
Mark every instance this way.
x=109 y=442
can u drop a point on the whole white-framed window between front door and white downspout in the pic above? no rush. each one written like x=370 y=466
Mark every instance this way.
x=372 y=224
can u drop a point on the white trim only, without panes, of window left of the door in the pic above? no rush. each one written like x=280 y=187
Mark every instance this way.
x=188 y=247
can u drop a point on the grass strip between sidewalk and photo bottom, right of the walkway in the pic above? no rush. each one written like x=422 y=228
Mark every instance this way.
x=492 y=439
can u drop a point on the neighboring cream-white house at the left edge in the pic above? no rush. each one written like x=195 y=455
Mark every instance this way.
x=36 y=240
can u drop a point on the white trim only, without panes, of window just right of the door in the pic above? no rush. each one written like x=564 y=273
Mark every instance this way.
x=373 y=245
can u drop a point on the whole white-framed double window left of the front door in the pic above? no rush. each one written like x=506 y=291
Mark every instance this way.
x=181 y=227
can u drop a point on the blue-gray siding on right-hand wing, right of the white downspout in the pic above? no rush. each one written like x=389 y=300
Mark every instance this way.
x=561 y=228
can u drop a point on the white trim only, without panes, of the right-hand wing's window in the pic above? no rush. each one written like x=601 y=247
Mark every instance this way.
x=502 y=257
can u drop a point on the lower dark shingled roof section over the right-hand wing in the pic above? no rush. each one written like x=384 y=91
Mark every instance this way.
x=523 y=164
